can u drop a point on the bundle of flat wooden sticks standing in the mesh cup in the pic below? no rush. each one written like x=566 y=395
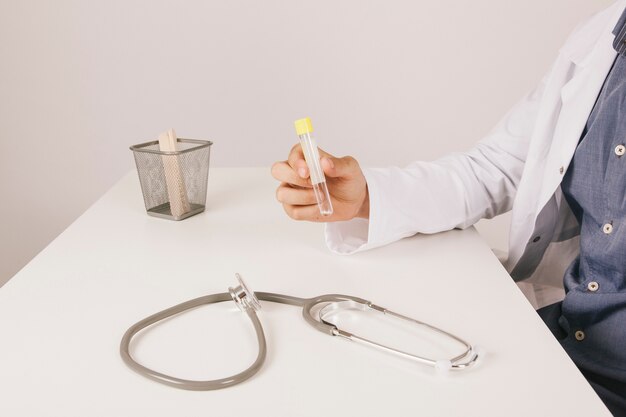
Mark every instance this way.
x=176 y=191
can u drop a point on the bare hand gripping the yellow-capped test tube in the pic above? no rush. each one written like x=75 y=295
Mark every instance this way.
x=345 y=180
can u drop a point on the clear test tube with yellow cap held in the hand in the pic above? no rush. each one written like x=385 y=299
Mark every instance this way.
x=304 y=128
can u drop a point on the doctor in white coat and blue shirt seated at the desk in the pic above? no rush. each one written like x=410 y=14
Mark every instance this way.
x=558 y=160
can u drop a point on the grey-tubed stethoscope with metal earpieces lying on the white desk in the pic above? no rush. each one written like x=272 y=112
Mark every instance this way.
x=248 y=302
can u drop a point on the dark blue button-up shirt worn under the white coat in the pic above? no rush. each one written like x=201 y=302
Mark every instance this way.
x=593 y=313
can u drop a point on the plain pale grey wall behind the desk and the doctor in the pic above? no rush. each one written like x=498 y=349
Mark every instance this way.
x=385 y=81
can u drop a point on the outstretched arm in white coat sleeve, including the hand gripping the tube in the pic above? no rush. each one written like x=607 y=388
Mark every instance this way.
x=374 y=207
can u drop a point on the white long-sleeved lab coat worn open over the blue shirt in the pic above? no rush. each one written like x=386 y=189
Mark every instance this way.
x=518 y=166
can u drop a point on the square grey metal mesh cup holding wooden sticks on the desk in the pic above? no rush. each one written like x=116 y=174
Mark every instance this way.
x=173 y=183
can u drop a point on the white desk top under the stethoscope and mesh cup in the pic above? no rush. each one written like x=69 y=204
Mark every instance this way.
x=62 y=317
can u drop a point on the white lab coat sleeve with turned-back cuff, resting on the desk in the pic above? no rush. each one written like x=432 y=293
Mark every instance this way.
x=453 y=192
